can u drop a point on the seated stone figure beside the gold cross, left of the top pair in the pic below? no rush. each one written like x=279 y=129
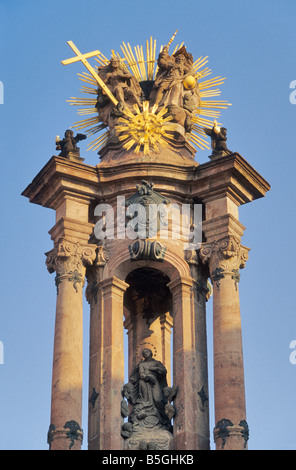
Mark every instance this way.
x=125 y=88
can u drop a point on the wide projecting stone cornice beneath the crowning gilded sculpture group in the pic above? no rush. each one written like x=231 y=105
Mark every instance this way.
x=230 y=176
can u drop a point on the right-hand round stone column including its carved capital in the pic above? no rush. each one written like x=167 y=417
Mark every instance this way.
x=225 y=257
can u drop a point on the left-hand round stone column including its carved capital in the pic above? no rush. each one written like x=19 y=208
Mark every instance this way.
x=68 y=260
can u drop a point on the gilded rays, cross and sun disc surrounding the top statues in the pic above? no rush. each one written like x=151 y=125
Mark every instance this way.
x=147 y=127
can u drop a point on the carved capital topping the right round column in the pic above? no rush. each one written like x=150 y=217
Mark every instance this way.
x=224 y=257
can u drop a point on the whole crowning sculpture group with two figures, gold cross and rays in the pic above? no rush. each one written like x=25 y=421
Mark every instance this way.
x=145 y=103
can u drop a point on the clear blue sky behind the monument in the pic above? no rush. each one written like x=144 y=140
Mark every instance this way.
x=252 y=43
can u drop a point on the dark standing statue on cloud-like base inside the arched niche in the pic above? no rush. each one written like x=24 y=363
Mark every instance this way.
x=149 y=421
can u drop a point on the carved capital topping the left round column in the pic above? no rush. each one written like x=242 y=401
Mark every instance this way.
x=68 y=260
